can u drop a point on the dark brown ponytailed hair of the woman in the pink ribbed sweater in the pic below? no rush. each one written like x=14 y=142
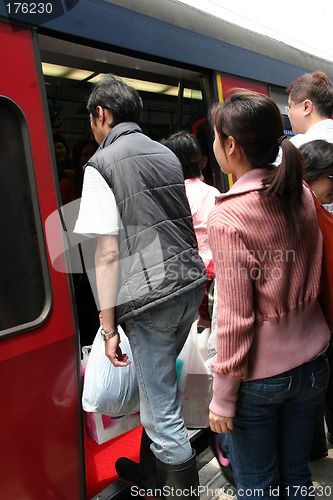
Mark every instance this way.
x=255 y=122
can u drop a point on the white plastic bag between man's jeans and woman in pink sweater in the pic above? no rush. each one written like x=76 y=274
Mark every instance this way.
x=195 y=383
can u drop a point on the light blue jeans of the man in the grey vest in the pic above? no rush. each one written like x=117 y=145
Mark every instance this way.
x=156 y=338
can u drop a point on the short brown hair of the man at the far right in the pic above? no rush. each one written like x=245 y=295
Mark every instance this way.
x=314 y=86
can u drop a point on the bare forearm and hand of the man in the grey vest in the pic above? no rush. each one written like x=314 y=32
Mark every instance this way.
x=107 y=267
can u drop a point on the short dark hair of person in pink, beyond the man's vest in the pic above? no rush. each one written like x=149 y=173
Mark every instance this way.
x=187 y=149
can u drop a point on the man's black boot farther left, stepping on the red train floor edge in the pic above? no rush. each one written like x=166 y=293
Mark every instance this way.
x=141 y=474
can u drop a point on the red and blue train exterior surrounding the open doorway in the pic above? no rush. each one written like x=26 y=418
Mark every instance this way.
x=41 y=425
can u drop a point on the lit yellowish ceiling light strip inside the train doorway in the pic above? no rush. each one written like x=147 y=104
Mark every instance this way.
x=141 y=85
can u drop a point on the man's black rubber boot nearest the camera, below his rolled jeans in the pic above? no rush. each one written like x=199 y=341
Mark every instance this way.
x=179 y=481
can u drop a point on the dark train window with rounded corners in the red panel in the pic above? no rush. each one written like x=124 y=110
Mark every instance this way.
x=23 y=290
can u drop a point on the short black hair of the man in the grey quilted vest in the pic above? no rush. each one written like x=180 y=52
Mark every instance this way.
x=120 y=99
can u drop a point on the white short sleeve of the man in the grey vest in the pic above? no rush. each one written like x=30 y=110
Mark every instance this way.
x=98 y=212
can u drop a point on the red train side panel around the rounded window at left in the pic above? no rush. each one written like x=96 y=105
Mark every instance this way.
x=41 y=429
